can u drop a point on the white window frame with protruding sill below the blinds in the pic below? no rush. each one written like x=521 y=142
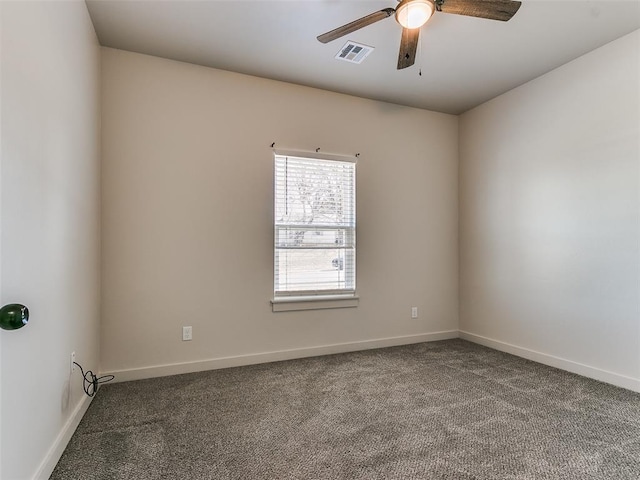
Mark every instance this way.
x=315 y=299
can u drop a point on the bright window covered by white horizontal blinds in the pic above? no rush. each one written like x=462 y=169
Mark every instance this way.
x=314 y=227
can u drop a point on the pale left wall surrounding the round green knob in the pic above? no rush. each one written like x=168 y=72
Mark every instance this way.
x=50 y=86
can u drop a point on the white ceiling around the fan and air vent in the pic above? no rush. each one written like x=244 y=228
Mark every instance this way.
x=461 y=61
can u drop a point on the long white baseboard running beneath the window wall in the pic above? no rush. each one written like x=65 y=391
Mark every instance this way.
x=252 y=359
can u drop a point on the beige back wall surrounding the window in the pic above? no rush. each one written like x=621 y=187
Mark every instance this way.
x=187 y=215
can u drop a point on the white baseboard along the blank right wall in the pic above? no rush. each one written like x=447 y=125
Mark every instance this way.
x=574 y=367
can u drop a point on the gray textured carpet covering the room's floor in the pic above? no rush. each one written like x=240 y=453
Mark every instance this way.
x=441 y=410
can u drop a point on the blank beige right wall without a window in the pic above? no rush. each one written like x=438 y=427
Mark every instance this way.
x=550 y=216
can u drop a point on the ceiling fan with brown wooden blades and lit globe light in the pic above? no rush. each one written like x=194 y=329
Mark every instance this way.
x=412 y=14
